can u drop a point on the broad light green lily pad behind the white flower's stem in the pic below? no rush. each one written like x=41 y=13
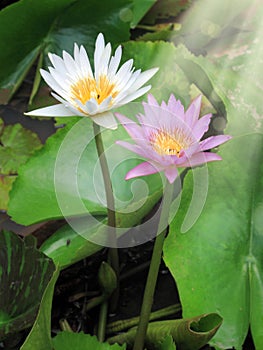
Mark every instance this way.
x=35 y=184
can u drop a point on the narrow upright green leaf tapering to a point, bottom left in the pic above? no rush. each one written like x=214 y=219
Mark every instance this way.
x=40 y=334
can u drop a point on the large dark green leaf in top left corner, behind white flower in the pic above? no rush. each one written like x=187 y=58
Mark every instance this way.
x=52 y=26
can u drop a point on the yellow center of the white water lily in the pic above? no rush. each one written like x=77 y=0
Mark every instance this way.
x=87 y=88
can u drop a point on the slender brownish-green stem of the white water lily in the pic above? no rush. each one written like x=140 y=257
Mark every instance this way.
x=113 y=252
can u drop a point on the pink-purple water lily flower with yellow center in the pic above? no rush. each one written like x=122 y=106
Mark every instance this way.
x=169 y=138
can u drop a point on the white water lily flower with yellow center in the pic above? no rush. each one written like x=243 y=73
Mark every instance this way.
x=84 y=93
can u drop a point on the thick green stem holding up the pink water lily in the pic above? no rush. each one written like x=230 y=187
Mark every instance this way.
x=153 y=270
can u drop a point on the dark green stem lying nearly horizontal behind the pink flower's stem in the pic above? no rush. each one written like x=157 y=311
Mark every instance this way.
x=121 y=325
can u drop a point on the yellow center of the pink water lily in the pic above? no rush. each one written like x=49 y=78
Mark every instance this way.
x=165 y=143
